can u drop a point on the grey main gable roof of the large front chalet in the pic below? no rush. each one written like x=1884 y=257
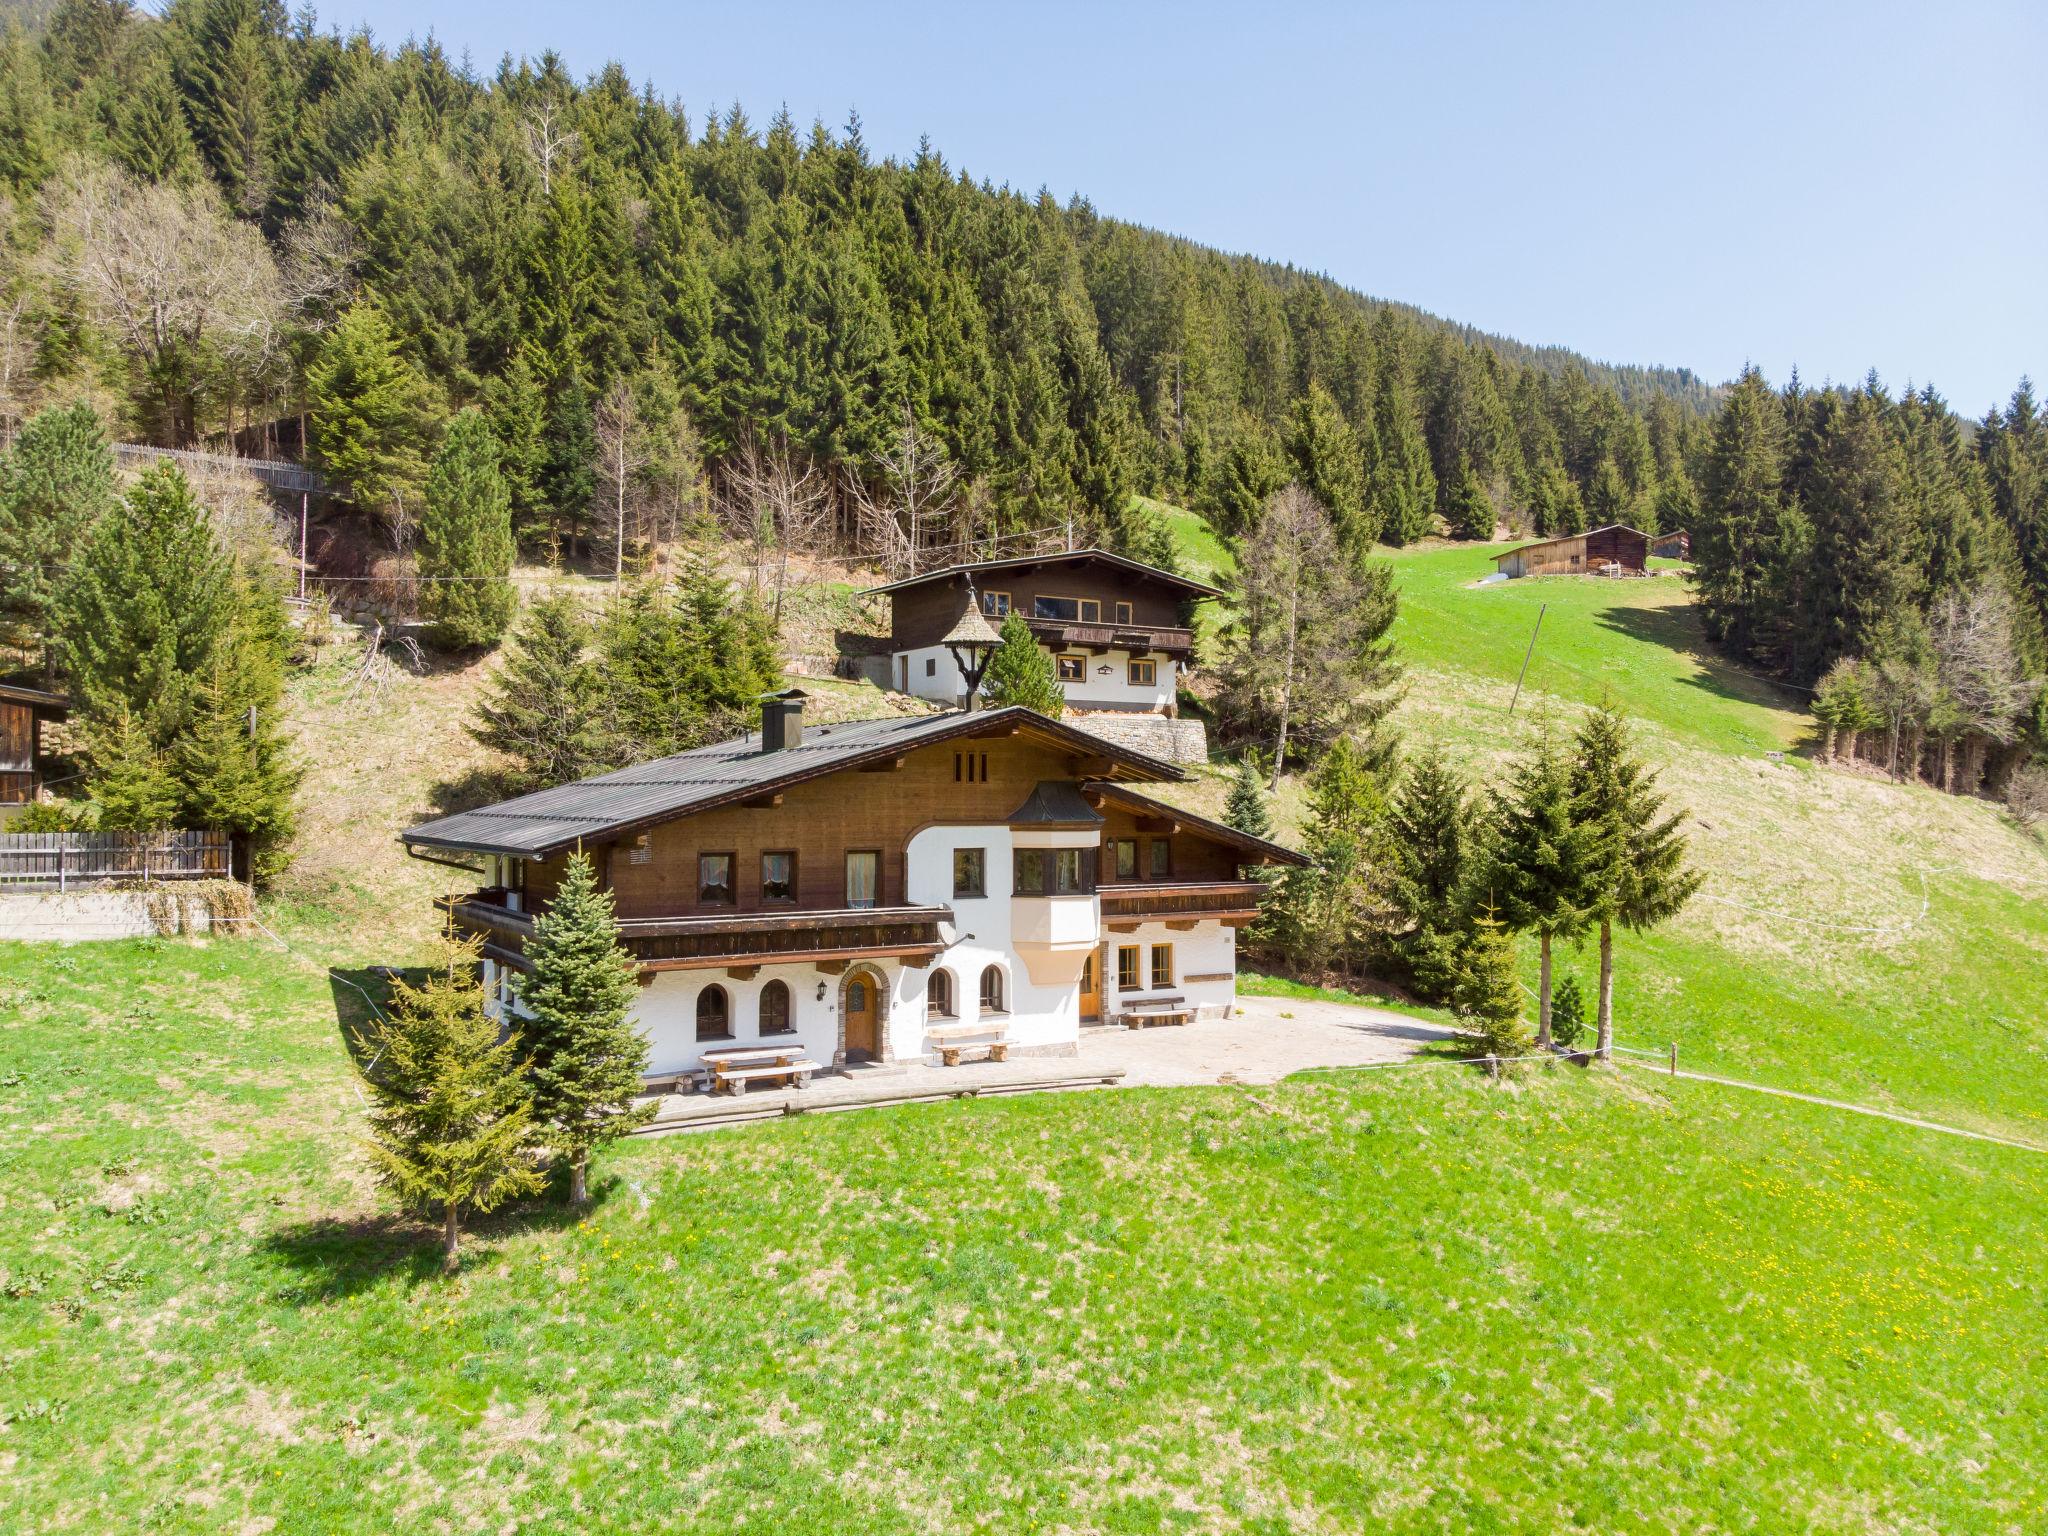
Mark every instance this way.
x=552 y=820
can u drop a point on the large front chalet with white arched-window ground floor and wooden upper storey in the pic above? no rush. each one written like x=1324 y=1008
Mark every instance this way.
x=855 y=888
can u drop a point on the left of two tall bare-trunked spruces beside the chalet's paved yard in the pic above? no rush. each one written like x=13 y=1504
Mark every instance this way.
x=1537 y=867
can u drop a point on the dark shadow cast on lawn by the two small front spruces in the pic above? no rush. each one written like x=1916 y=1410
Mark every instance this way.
x=335 y=1258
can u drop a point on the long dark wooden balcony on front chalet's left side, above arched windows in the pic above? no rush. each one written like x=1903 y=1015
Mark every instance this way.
x=734 y=941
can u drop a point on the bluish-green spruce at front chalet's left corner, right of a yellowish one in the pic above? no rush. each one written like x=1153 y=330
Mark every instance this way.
x=587 y=1056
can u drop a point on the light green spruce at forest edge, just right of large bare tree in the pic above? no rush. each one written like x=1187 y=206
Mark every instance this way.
x=366 y=409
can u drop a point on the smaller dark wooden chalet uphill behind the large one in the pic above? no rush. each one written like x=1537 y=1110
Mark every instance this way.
x=1117 y=630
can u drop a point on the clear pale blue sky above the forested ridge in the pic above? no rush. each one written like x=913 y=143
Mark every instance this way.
x=1824 y=185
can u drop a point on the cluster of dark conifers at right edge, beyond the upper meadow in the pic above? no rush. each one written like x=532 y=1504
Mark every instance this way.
x=1891 y=558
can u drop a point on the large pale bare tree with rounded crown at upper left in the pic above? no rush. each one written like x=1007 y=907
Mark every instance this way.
x=173 y=278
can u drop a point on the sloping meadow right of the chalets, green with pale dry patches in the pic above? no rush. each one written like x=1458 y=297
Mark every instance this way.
x=1854 y=937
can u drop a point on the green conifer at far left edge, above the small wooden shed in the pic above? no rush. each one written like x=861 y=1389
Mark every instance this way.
x=54 y=488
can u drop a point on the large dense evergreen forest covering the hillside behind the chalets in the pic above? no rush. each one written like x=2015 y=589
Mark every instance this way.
x=226 y=224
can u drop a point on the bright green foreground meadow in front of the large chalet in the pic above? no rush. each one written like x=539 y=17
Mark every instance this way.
x=1363 y=1302
